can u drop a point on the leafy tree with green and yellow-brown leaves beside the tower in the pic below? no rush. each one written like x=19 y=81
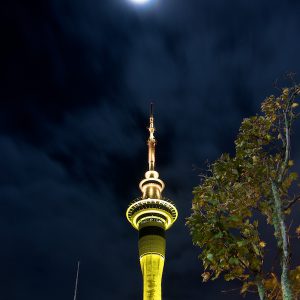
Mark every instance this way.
x=239 y=191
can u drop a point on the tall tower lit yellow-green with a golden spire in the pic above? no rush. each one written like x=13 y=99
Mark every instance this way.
x=152 y=215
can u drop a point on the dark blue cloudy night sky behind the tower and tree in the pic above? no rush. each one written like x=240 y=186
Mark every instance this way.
x=77 y=78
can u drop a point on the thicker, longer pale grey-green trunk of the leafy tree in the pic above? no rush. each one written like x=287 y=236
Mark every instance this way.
x=283 y=245
